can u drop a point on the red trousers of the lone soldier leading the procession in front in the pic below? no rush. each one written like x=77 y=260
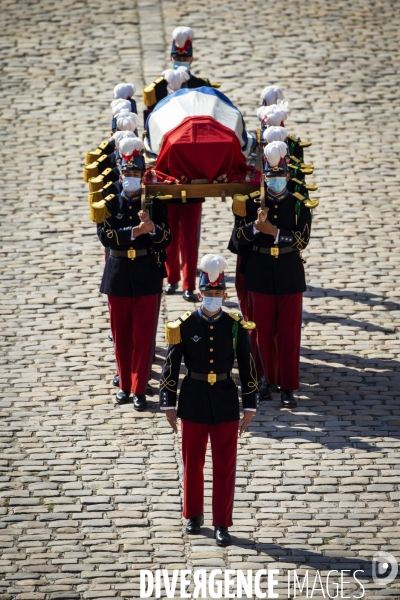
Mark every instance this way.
x=223 y=447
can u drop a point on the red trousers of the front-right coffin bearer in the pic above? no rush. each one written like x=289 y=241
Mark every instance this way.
x=278 y=320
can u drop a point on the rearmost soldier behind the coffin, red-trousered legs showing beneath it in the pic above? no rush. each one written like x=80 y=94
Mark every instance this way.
x=184 y=218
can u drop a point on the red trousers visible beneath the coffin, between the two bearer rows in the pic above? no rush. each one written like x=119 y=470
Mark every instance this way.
x=184 y=223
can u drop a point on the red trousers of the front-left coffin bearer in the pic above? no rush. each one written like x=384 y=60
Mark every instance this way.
x=133 y=325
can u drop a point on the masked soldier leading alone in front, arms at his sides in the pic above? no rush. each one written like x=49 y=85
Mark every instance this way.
x=208 y=340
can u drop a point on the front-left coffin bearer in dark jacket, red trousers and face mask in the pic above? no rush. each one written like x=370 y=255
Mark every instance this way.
x=131 y=277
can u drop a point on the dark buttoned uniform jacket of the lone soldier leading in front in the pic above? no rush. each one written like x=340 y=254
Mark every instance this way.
x=207 y=346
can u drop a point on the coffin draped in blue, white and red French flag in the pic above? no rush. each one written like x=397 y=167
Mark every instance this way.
x=198 y=134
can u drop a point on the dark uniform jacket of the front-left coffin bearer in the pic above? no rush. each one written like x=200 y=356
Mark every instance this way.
x=141 y=276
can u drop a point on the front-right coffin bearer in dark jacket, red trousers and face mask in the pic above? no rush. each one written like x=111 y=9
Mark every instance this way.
x=274 y=273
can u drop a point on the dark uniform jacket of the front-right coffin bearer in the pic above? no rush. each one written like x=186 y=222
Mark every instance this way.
x=268 y=274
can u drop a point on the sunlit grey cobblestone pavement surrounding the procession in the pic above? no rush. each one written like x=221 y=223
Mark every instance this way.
x=89 y=493
